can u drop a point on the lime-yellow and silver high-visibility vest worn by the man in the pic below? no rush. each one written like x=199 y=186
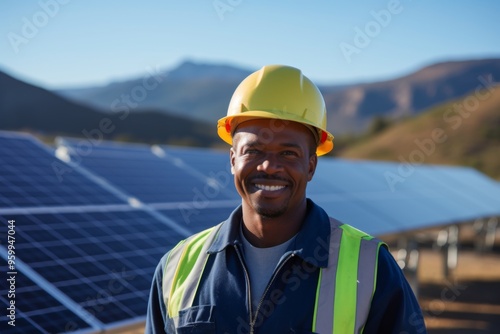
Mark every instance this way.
x=344 y=291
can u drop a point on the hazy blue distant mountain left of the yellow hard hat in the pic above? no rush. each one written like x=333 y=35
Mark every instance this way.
x=198 y=91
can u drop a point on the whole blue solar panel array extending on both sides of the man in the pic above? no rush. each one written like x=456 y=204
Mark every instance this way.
x=92 y=220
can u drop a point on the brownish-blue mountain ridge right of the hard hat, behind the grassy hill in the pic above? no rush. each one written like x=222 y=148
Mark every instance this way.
x=353 y=109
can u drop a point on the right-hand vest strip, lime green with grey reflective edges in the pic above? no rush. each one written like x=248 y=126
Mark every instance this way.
x=354 y=255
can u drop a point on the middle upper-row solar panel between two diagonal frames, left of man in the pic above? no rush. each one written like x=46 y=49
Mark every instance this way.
x=152 y=178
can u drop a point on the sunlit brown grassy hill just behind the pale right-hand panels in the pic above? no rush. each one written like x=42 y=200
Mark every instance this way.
x=465 y=131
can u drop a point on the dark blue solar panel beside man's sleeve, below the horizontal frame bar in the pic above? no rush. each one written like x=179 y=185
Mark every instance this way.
x=102 y=260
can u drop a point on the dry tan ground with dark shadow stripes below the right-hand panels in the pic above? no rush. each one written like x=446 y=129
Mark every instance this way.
x=466 y=302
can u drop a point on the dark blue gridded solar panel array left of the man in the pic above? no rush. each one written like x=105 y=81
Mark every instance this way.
x=86 y=246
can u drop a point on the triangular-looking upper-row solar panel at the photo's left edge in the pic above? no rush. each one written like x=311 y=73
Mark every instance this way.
x=31 y=176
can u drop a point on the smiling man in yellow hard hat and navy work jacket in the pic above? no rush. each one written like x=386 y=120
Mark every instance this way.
x=279 y=264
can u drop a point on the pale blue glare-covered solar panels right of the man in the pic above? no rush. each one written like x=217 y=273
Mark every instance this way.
x=379 y=198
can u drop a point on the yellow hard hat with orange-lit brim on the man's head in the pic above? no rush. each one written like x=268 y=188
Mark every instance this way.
x=278 y=92
